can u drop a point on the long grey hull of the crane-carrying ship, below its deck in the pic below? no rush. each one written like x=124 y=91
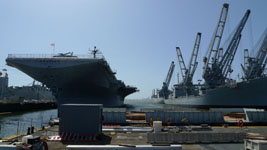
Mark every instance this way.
x=246 y=94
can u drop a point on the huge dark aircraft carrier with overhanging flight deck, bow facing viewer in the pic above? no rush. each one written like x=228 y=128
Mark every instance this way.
x=84 y=79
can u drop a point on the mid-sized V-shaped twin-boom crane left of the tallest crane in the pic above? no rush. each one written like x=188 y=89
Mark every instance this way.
x=187 y=74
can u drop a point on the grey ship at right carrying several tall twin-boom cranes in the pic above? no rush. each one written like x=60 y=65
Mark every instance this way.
x=219 y=90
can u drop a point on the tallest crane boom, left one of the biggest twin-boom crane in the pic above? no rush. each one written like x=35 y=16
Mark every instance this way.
x=216 y=40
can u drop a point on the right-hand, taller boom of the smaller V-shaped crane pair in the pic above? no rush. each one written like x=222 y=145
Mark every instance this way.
x=193 y=61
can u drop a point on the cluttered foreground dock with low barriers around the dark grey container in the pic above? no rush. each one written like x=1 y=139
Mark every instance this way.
x=125 y=130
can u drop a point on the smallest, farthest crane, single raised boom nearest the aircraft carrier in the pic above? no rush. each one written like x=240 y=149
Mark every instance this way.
x=165 y=92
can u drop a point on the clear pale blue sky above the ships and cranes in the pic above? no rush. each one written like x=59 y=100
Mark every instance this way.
x=137 y=37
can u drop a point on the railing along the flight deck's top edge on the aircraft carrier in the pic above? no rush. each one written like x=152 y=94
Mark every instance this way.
x=55 y=56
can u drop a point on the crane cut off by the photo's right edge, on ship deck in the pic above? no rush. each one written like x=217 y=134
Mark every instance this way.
x=254 y=66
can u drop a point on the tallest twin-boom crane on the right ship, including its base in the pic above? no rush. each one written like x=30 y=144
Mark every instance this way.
x=216 y=70
